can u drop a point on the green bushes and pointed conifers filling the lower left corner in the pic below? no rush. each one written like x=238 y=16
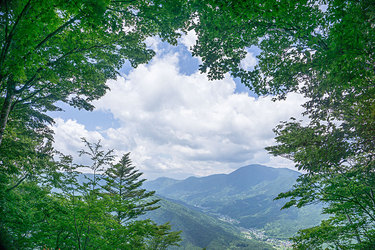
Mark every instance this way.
x=80 y=215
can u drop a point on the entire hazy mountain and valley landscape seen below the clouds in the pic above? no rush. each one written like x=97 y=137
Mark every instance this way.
x=239 y=204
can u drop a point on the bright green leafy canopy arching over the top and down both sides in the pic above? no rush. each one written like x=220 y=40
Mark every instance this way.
x=324 y=49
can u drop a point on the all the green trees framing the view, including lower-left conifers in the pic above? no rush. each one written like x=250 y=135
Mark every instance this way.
x=66 y=51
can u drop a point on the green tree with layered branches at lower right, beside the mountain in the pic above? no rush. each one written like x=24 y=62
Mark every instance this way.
x=339 y=175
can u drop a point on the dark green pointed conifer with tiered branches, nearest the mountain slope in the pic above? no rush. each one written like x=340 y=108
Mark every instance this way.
x=128 y=201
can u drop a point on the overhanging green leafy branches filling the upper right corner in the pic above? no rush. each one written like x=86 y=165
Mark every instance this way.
x=315 y=42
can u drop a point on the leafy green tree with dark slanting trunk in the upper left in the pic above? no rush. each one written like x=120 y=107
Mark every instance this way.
x=66 y=50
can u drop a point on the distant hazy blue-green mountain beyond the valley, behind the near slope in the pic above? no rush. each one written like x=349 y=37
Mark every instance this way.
x=245 y=197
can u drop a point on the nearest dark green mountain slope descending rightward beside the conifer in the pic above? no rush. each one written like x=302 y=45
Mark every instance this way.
x=200 y=230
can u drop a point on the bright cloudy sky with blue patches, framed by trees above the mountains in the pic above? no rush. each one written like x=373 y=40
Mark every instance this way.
x=175 y=122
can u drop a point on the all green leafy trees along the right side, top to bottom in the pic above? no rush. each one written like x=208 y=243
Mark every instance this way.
x=325 y=51
